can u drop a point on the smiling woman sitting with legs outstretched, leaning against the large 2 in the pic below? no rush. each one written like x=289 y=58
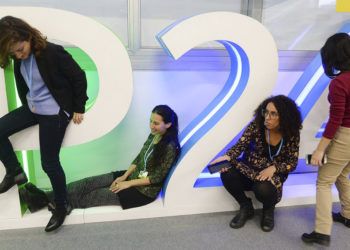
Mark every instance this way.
x=137 y=186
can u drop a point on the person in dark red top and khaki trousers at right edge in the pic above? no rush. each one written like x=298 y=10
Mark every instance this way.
x=335 y=142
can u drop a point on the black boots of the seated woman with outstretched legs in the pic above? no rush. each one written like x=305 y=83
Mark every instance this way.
x=35 y=198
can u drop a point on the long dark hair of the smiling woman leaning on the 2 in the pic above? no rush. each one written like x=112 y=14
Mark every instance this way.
x=171 y=134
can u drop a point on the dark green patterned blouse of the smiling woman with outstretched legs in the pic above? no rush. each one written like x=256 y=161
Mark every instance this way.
x=156 y=173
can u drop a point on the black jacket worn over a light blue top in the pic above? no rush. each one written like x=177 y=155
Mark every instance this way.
x=63 y=77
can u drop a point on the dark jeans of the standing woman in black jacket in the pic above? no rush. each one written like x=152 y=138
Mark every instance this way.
x=51 y=133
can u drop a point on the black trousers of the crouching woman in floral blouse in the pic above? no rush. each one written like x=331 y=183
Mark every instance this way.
x=236 y=183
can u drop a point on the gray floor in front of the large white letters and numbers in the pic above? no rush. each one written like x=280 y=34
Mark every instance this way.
x=204 y=231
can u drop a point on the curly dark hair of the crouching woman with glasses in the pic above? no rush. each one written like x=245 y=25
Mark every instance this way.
x=290 y=121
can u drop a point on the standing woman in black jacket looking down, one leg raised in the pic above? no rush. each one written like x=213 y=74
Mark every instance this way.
x=52 y=88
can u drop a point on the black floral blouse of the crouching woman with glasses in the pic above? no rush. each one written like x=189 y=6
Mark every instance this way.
x=255 y=156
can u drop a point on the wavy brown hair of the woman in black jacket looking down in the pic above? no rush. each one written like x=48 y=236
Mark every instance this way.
x=13 y=30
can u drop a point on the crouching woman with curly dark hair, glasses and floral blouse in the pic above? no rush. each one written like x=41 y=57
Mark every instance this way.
x=262 y=159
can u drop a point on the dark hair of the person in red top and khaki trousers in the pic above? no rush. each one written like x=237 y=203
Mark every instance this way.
x=335 y=54
